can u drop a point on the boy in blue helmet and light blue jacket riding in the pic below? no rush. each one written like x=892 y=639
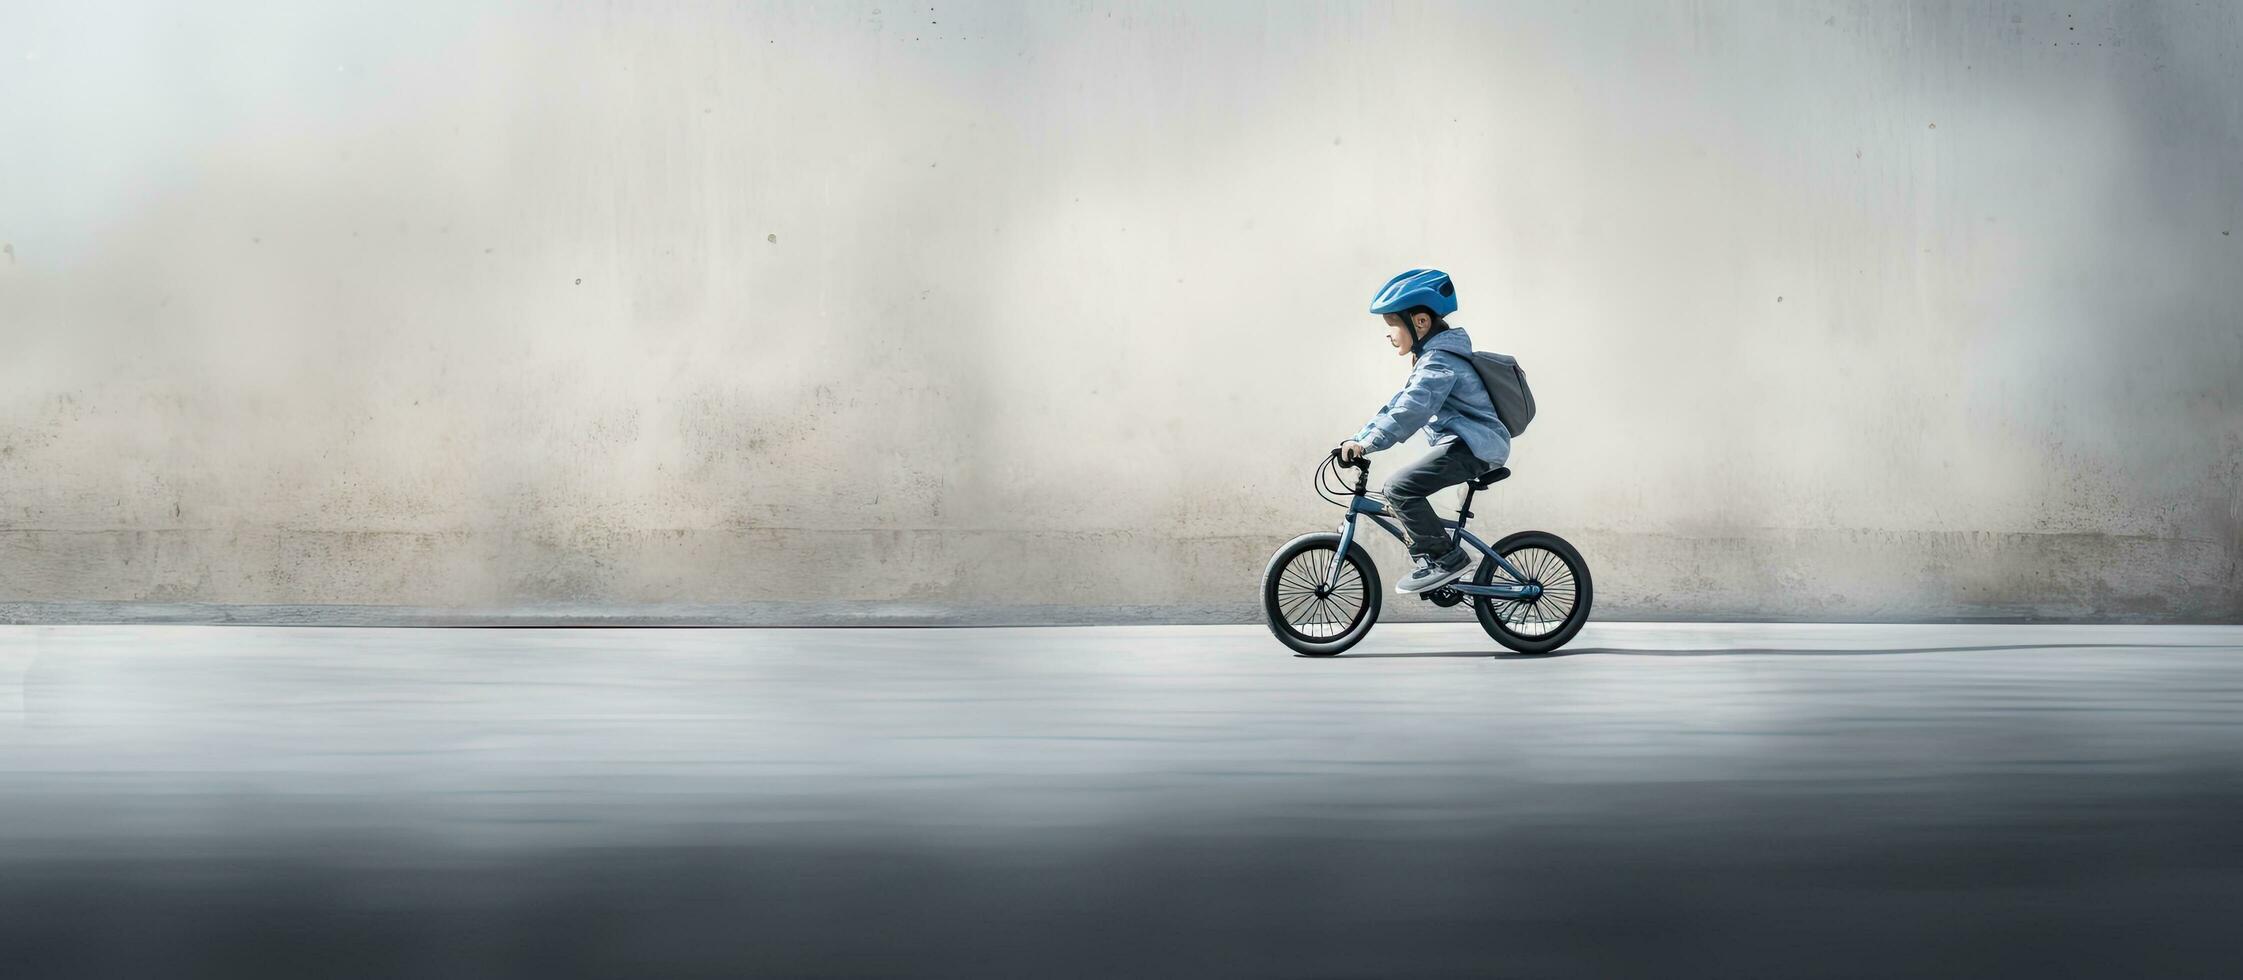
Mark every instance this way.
x=1443 y=396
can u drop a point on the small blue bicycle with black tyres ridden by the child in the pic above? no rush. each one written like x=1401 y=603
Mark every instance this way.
x=1322 y=591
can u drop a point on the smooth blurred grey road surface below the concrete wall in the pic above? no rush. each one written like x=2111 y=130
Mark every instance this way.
x=1120 y=802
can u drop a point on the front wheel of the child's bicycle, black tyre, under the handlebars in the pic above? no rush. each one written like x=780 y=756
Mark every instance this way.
x=1311 y=609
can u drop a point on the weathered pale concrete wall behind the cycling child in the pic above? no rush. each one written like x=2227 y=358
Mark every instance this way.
x=1834 y=311
